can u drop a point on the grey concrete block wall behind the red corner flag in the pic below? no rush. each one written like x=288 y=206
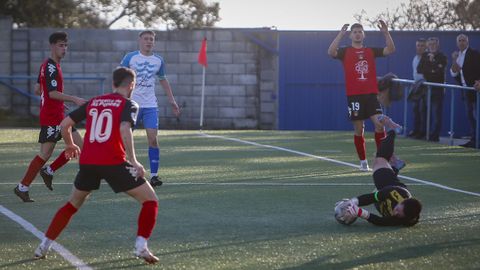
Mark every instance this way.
x=241 y=80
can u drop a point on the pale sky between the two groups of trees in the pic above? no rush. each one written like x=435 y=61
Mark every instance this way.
x=297 y=14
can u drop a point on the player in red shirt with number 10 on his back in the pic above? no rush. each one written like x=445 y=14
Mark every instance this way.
x=108 y=153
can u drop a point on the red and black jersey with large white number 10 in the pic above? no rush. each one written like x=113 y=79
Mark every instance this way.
x=103 y=144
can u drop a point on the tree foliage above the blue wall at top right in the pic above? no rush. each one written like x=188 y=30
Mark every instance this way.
x=429 y=15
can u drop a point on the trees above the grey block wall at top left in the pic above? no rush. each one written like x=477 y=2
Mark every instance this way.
x=104 y=13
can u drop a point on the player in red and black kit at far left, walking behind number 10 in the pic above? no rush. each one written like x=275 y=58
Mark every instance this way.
x=50 y=87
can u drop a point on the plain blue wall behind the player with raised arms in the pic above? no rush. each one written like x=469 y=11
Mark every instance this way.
x=311 y=84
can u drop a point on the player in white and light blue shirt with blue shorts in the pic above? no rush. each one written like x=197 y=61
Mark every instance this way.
x=147 y=65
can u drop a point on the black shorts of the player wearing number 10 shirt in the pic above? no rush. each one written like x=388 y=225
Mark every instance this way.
x=119 y=177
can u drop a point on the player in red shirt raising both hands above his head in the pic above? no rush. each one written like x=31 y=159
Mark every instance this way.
x=361 y=82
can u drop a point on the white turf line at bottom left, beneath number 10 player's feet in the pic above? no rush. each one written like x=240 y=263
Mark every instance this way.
x=72 y=259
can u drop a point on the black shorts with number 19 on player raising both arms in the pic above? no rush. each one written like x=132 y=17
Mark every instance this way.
x=361 y=107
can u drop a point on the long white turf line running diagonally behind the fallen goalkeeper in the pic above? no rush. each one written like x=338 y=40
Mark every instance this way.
x=333 y=161
